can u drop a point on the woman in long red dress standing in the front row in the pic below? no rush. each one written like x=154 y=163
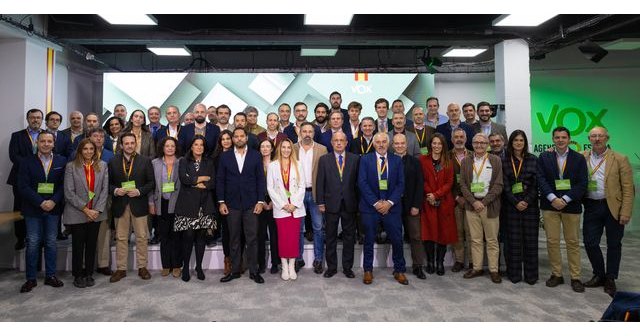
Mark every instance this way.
x=437 y=218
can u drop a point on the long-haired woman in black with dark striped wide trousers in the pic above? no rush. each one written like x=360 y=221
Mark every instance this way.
x=520 y=210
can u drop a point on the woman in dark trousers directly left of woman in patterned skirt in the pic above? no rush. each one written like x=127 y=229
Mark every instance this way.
x=162 y=203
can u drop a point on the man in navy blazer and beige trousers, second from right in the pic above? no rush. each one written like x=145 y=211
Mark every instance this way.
x=562 y=180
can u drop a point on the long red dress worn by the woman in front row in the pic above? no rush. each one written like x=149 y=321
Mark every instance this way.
x=438 y=222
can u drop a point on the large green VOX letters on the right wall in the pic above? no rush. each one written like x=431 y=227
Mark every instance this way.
x=558 y=117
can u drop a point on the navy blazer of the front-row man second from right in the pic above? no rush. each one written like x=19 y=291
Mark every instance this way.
x=576 y=171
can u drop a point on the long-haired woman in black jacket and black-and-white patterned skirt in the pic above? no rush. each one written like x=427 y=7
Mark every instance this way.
x=195 y=208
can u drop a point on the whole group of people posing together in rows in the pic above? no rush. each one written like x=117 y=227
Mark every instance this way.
x=436 y=180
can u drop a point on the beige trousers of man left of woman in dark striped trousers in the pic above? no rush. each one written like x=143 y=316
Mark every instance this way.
x=481 y=226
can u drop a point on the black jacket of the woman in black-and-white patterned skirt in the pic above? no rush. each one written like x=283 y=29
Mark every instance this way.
x=190 y=198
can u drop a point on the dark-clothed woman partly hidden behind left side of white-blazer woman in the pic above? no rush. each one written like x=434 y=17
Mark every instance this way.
x=265 y=219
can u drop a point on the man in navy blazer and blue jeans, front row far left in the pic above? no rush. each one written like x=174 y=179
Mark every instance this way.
x=40 y=182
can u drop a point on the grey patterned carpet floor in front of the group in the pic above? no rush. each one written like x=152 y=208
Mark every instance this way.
x=314 y=298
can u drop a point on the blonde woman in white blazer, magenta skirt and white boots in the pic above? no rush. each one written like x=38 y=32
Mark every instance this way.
x=286 y=187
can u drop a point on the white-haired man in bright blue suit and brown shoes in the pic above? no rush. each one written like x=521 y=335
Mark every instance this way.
x=381 y=184
